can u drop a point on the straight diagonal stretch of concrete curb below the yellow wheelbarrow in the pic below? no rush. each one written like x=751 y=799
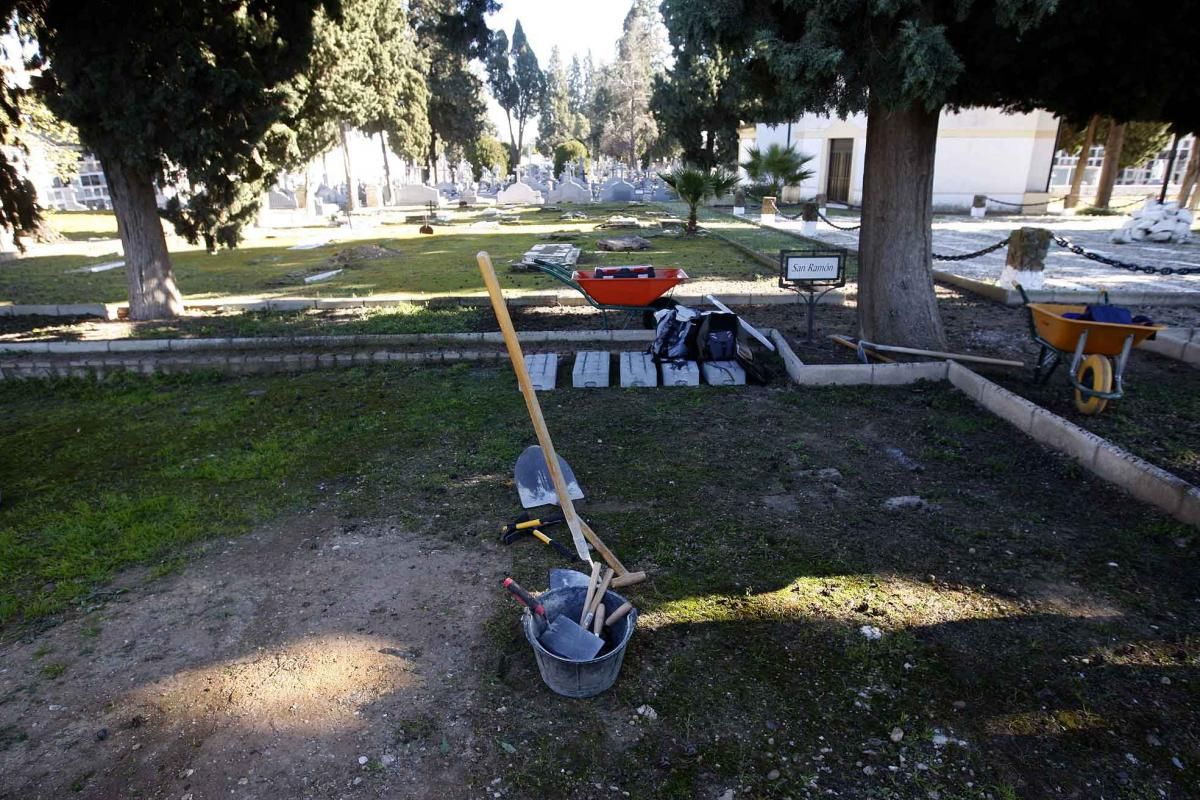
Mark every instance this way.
x=1137 y=477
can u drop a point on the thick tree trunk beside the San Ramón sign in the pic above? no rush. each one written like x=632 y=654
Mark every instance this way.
x=897 y=304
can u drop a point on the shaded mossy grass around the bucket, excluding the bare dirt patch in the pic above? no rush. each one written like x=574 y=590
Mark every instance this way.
x=1040 y=631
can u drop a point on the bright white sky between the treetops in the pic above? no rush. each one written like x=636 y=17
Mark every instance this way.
x=574 y=26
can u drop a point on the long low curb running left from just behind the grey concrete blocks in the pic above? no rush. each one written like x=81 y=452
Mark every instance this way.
x=293 y=342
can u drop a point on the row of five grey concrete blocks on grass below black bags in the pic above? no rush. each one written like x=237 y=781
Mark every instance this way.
x=592 y=370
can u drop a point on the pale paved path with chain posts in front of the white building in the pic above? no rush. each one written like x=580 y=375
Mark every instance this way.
x=1065 y=270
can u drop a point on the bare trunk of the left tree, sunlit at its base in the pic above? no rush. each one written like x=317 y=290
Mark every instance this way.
x=152 y=282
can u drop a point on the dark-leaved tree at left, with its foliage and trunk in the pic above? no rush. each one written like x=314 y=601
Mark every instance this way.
x=166 y=91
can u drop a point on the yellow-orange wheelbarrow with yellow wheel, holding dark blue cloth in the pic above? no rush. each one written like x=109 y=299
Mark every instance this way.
x=1099 y=352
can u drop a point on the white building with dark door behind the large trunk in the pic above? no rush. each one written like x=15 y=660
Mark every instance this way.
x=980 y=152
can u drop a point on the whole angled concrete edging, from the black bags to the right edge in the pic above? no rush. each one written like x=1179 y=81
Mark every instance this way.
x=1145 y=482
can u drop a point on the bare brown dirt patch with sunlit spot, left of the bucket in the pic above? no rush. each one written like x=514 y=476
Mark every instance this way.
x=269 y=669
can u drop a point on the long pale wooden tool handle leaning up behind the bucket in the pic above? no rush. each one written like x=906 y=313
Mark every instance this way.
x=581 y=534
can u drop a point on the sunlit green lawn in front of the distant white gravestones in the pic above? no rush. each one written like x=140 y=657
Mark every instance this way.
x=442 y=264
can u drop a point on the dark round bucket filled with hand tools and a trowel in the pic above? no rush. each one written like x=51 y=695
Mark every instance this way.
x=580 y=678
